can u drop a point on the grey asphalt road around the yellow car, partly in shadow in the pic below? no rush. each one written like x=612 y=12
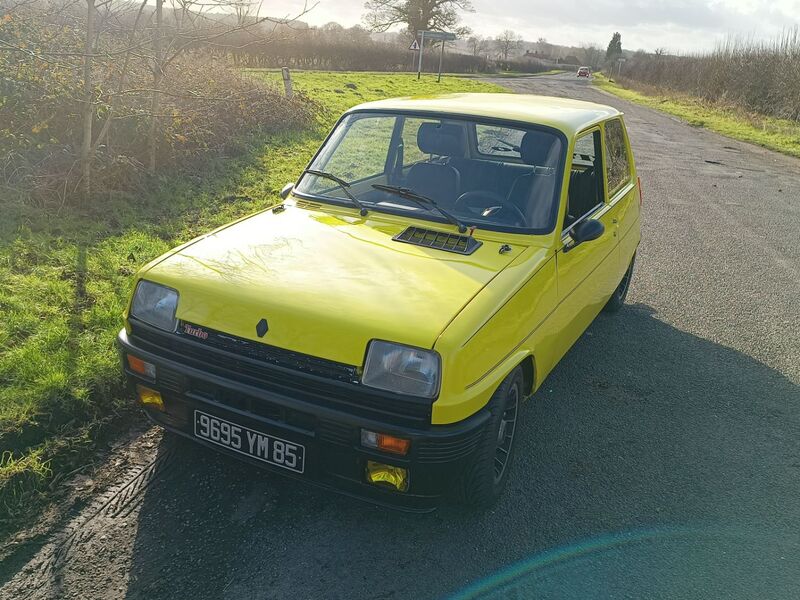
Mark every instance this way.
x=660 y=459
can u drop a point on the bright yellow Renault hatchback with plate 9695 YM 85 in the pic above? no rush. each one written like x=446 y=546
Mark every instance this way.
x=376 y=331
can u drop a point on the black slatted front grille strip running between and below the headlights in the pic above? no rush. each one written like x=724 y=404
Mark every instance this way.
x=307 y=384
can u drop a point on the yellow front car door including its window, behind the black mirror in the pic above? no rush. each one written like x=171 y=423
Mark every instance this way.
x=587 y=273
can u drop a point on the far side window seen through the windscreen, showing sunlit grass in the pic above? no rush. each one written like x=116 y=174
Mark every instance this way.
x=353 y=159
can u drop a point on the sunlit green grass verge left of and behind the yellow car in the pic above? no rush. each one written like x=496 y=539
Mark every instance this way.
x=65 y=276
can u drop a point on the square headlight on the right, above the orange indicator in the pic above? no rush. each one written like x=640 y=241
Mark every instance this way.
x=402 y=369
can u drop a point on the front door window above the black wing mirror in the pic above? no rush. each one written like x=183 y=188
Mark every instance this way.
x=585 y=186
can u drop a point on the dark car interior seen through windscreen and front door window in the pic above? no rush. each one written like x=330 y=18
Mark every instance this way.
x=482 y=173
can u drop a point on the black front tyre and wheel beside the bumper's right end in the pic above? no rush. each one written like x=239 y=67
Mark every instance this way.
x=484 y=479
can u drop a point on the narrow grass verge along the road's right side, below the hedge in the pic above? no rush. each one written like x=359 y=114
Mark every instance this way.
x=781 y=135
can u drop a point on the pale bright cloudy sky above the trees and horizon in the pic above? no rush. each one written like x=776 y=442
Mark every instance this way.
x=678 y=26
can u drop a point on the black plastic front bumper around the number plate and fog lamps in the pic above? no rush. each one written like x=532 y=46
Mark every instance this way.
x=331 y=435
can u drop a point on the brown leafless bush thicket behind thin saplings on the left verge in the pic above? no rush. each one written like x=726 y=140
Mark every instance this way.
x=206 y=108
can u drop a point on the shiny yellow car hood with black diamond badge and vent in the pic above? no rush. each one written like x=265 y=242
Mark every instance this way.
x=326 y=283
